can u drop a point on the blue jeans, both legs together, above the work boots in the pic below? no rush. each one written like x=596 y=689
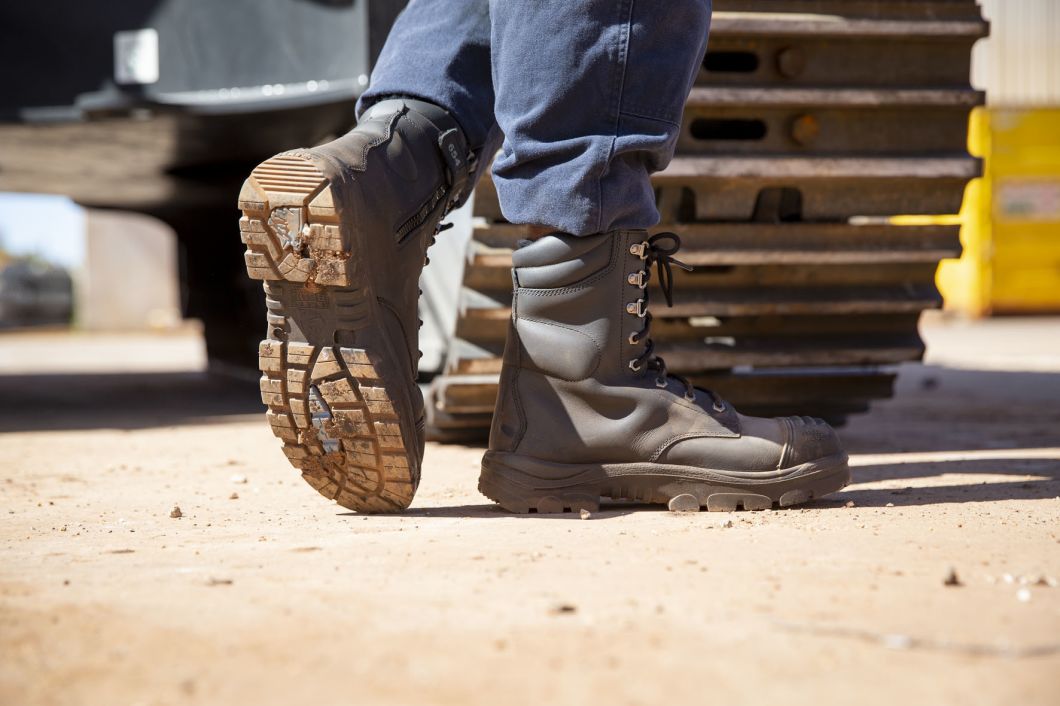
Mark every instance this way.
x=586 y=95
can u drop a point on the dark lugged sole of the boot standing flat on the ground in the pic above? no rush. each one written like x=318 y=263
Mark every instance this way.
x=524 y=485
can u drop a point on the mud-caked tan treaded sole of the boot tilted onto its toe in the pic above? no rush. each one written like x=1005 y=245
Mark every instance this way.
x=329 y=404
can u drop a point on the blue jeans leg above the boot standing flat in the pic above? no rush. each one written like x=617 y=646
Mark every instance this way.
x=590 y=96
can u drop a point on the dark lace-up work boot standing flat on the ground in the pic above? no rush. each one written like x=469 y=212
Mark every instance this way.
x=587 y=411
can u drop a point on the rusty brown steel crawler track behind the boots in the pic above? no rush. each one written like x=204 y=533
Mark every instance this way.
x=812 y=123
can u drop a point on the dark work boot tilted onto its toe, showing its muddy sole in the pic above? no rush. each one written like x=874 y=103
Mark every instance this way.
x=340 y=235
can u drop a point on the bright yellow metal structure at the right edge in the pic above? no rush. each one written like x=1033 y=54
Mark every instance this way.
x=1011 y=218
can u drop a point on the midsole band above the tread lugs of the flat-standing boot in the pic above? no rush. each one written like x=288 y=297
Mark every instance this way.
x=537 y=474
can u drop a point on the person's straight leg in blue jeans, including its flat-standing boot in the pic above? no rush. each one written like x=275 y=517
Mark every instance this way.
x=590 y=96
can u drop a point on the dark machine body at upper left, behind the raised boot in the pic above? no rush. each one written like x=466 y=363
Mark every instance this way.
x=165 y=107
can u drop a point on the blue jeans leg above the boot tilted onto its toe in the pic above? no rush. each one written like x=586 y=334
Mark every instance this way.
x=439 y=51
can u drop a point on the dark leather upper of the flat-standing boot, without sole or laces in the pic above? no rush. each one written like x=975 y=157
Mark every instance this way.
x=569 y=394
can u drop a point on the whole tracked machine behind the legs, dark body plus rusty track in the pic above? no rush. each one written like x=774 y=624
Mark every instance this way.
x=812 y=123
